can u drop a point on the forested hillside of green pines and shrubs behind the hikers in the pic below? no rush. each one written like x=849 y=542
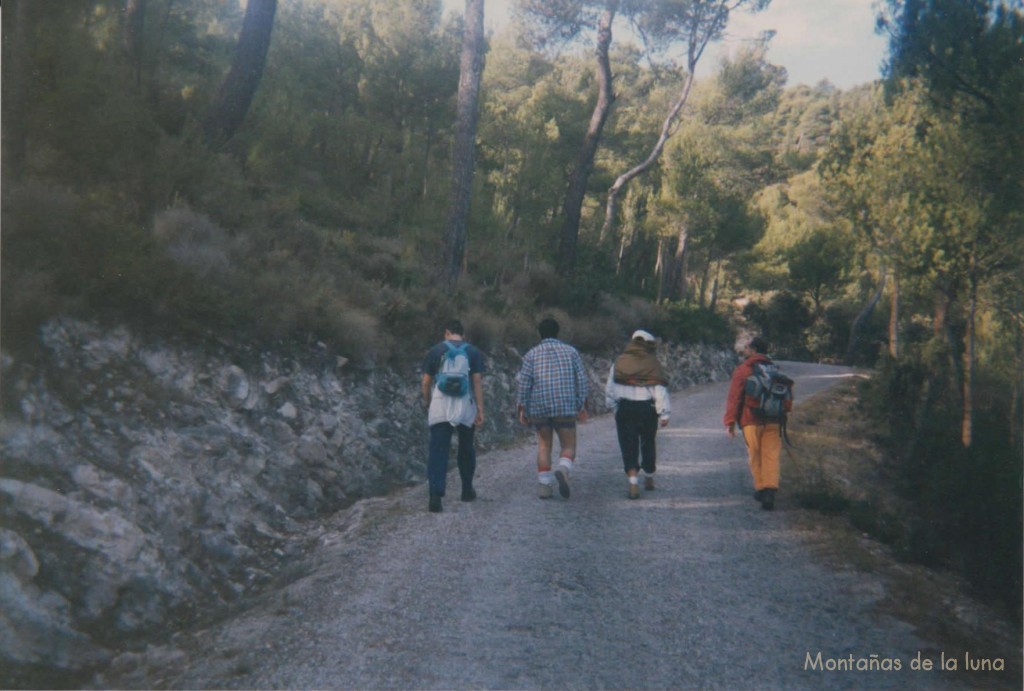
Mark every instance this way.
x=292 y=171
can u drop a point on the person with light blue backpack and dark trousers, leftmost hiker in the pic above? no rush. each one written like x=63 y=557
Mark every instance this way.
x=453 y=393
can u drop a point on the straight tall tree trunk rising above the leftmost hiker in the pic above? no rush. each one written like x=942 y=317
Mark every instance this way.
x=464 y=149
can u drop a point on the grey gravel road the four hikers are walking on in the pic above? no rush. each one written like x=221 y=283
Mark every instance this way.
x=693 y=586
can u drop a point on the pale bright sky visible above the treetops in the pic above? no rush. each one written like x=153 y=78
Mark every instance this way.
x=815 y=40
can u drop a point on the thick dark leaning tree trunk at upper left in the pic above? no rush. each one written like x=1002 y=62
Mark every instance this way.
x=239 y=88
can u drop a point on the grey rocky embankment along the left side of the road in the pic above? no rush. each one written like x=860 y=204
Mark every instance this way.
x=147 y=485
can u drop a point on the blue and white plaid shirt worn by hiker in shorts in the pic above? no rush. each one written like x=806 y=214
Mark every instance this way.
x=552 y=382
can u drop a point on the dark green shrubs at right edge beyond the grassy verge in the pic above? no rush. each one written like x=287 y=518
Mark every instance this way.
x=969 y=500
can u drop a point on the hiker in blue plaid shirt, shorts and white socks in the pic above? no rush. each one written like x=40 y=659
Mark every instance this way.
x=551 y=397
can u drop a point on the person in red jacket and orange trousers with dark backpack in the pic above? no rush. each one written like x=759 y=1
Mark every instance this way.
x=760 y=397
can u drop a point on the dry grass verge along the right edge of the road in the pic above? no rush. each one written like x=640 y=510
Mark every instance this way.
x=848 y=503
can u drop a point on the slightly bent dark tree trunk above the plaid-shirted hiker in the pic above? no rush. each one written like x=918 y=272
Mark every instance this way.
x=572 y=209
